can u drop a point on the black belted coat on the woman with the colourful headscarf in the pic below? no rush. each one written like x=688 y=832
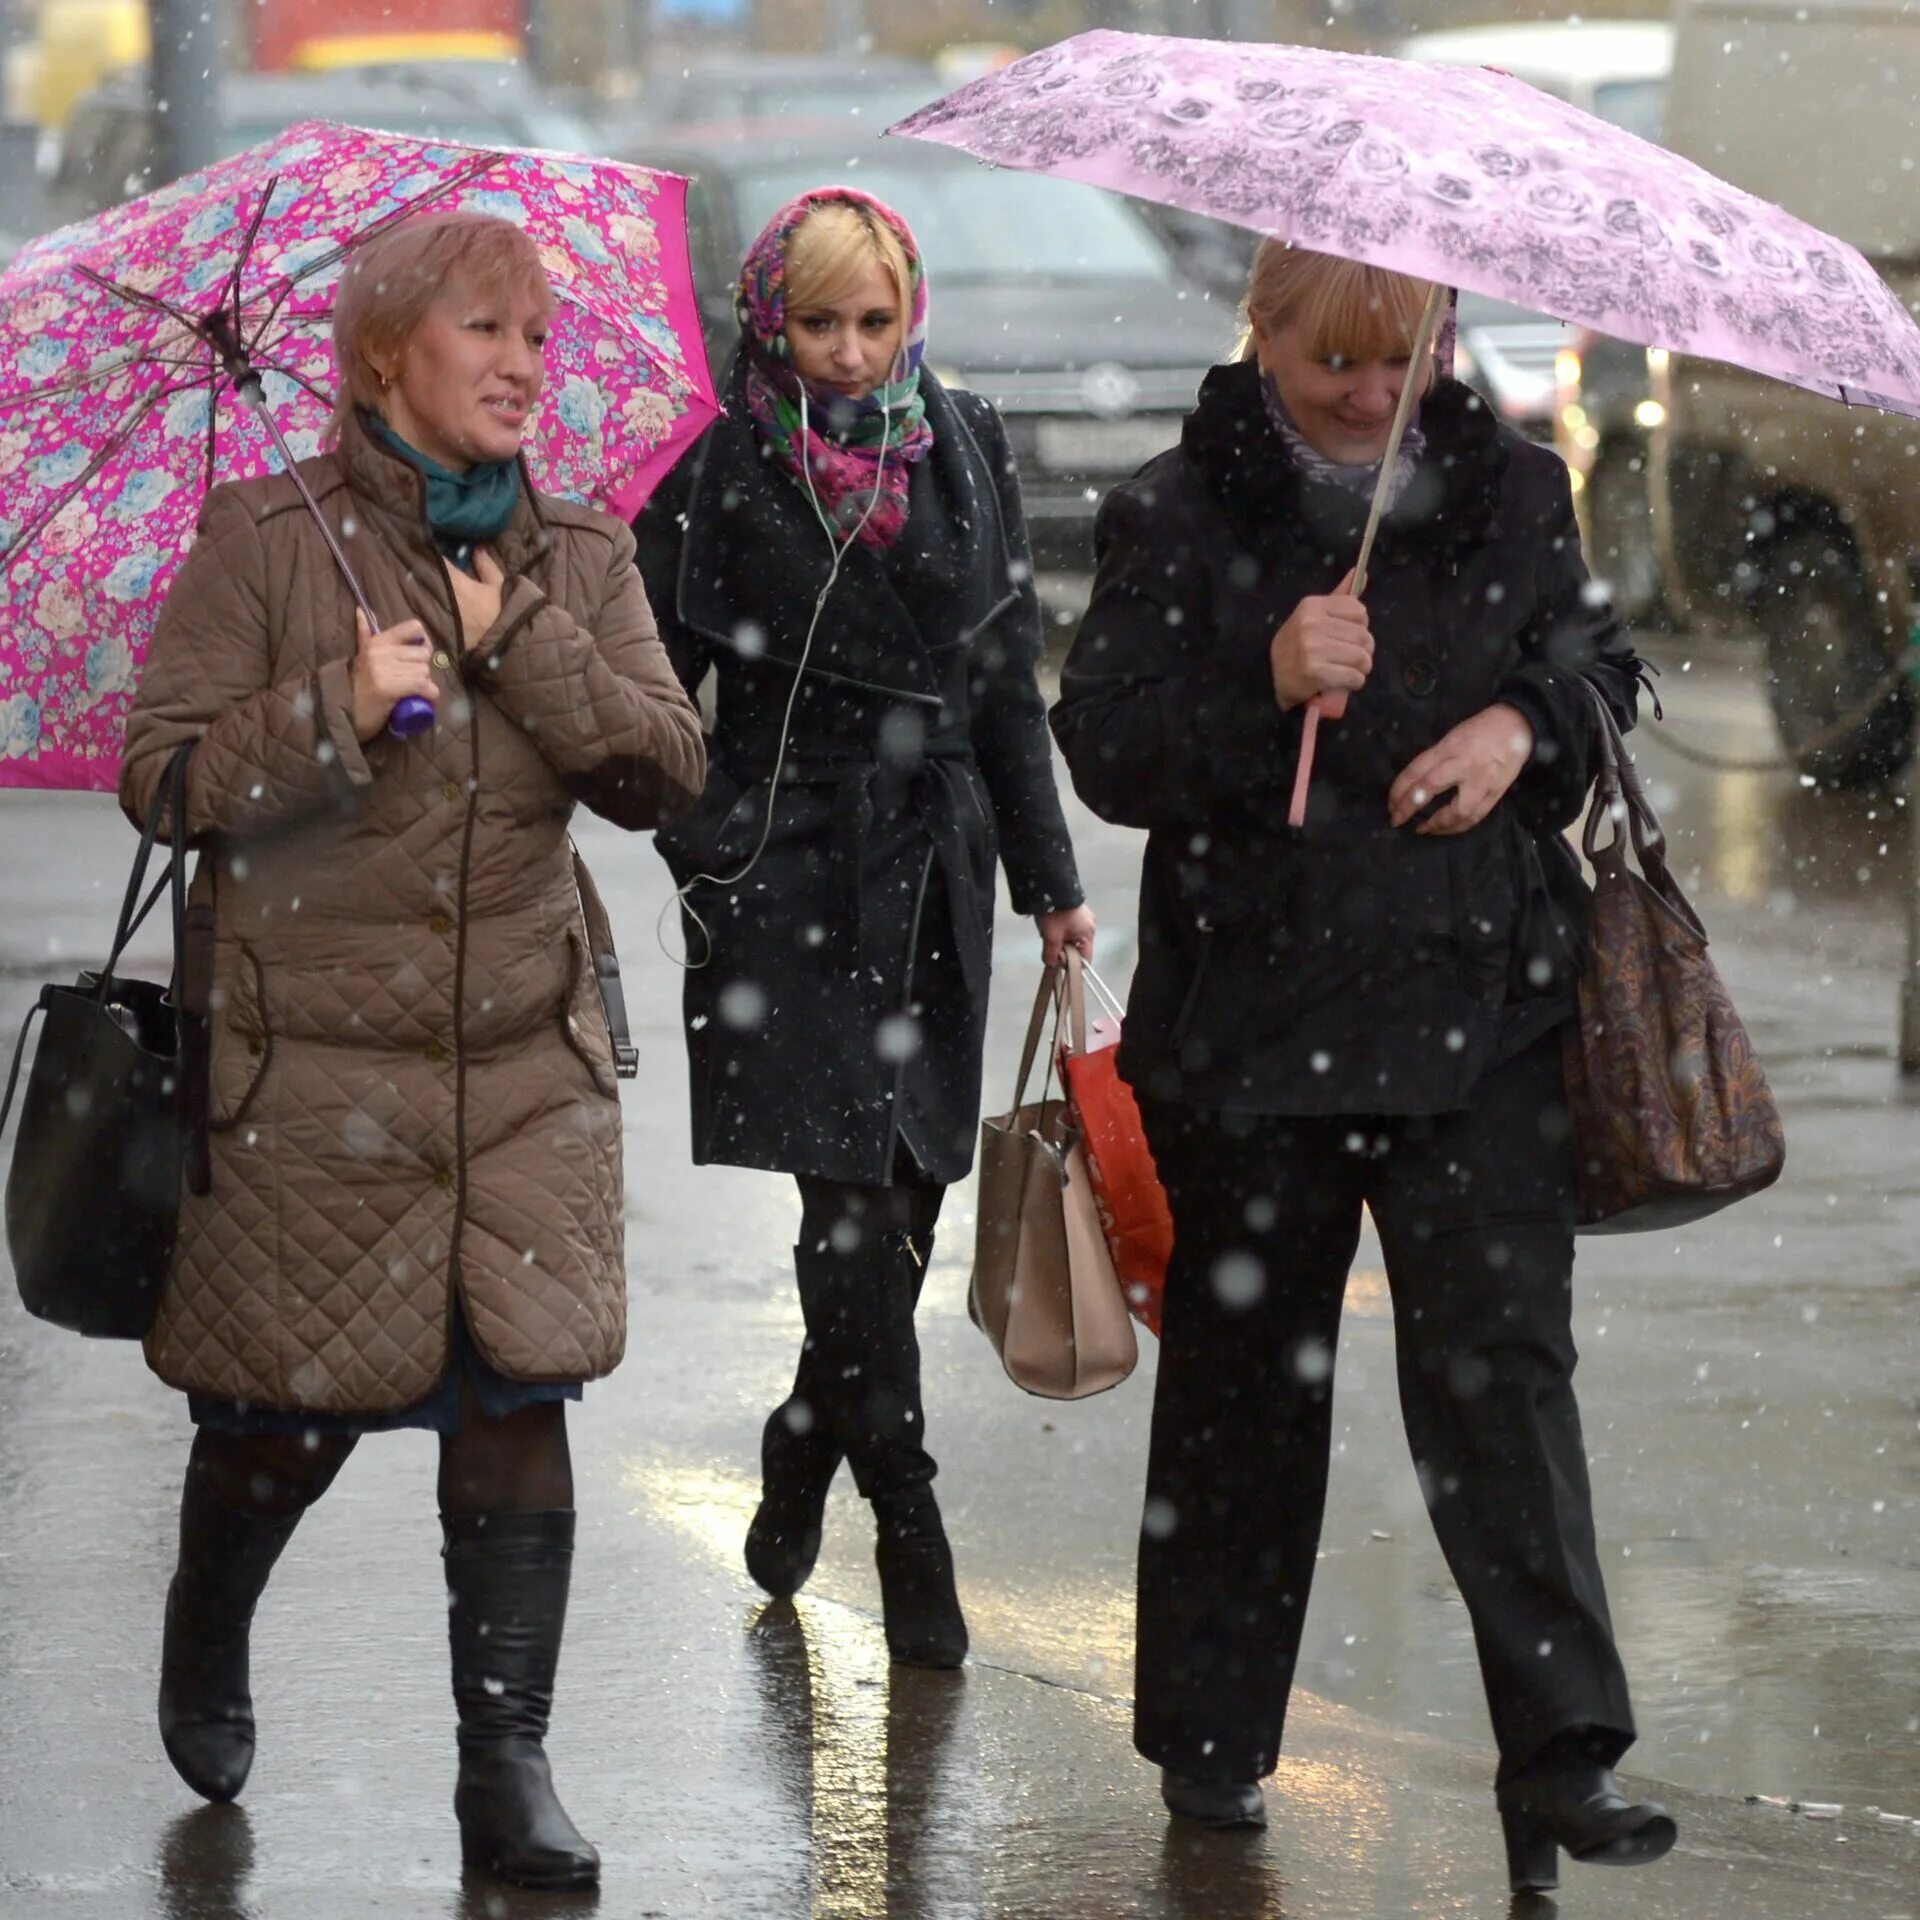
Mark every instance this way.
x=842 y=1005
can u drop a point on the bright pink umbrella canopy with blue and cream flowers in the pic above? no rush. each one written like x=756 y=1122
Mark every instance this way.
x=185 y=339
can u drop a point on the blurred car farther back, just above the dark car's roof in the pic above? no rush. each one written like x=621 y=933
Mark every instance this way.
x=873 y=89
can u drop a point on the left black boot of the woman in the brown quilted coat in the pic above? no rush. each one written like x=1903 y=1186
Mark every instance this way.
x=206 y=1708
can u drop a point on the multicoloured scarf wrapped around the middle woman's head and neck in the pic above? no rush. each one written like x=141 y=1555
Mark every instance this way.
x=865 y=454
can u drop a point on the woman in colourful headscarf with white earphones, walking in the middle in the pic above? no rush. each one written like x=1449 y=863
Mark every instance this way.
x=848 y=554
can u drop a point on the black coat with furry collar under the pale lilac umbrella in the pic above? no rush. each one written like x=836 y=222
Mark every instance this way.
x=1345 y=967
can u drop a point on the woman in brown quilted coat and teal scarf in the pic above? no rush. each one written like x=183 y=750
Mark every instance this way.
x=416 y=1203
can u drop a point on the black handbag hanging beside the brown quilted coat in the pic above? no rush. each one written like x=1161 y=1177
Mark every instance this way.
x=108 y=1122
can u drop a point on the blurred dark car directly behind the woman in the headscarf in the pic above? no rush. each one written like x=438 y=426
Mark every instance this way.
x=1051 y=299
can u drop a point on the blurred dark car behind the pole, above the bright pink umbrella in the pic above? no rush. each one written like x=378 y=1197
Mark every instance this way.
x=107 y=155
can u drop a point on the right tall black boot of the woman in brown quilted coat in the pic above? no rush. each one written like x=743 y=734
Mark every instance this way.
x=508 y=1579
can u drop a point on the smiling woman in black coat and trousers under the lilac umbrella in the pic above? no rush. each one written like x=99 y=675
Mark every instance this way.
x=1366 y=1011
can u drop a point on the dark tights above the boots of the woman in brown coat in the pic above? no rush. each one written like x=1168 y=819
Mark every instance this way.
x=514 y=1466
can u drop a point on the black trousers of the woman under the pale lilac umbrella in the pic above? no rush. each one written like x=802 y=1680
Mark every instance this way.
x=1476 y=1216
